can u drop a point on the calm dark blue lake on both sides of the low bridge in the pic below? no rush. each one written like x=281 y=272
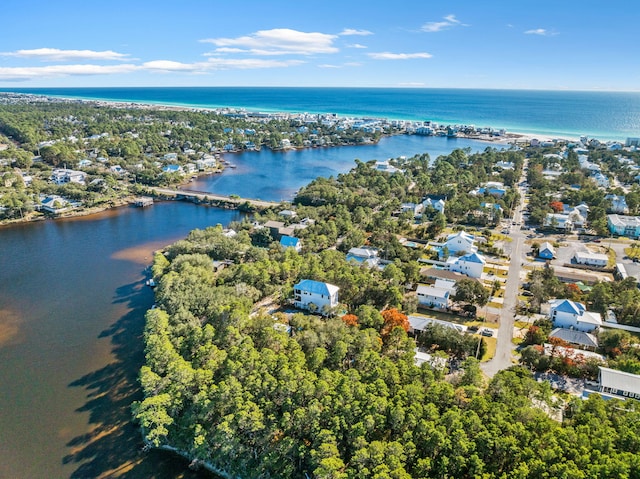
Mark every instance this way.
x=72 y=303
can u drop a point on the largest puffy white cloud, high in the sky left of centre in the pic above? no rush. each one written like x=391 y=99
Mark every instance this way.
x=279 y=41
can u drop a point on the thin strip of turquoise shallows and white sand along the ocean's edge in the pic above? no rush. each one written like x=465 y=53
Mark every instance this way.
x=511 y=135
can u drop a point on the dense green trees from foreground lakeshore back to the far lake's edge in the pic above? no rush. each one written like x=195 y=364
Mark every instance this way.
x=258 y=394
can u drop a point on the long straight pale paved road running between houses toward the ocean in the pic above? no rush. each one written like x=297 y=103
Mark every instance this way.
x=503 y=358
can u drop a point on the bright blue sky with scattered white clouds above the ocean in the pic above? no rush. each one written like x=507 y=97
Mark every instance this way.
x=522 y=44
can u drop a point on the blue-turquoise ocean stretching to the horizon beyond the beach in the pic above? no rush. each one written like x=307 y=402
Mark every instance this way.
x=565 y=114
